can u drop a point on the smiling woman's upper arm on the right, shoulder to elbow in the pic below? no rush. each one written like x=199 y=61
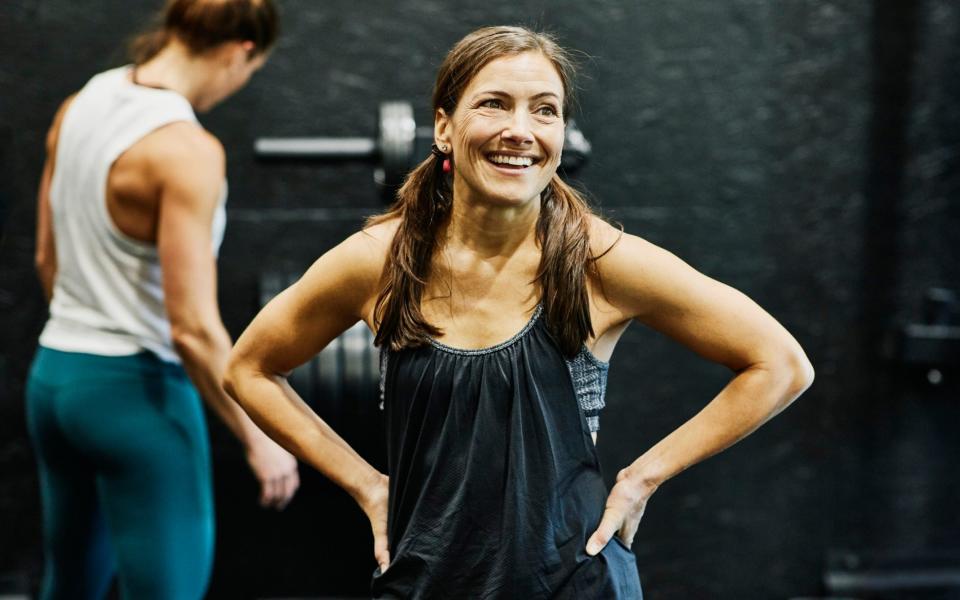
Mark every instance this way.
x=653 y=286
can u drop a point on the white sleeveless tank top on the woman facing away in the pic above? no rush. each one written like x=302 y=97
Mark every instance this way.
x=108 y=293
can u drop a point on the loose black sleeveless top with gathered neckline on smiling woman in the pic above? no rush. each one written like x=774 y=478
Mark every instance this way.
x=495 y=485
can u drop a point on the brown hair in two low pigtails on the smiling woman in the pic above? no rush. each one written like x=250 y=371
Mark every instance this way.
x=424 y=202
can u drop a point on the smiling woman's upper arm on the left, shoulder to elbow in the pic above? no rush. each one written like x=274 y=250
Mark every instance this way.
x=335 y=292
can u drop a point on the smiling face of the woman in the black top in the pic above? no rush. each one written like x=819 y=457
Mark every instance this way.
x=506 y=133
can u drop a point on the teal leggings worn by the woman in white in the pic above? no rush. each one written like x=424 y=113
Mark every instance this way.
x=124 y=476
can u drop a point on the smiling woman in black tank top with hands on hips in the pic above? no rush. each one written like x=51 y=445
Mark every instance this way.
x=497 y=298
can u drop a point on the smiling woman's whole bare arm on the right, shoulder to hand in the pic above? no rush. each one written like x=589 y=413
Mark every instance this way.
x=770 y=370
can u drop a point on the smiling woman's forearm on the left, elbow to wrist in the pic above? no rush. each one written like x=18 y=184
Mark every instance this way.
x=277 y=409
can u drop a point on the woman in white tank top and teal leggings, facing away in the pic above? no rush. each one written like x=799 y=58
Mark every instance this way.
x=130 y=216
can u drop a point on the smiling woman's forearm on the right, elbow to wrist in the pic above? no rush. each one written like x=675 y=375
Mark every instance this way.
x=750 y=399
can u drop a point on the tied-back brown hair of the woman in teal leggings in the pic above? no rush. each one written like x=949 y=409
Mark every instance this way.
x=205 y=24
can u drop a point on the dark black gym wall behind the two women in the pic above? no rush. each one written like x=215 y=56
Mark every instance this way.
x=805 y=152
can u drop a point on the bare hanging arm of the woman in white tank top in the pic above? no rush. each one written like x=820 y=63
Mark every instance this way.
x=190 y=168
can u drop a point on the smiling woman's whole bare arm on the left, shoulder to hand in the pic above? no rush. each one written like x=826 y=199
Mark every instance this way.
x=335 y=293
